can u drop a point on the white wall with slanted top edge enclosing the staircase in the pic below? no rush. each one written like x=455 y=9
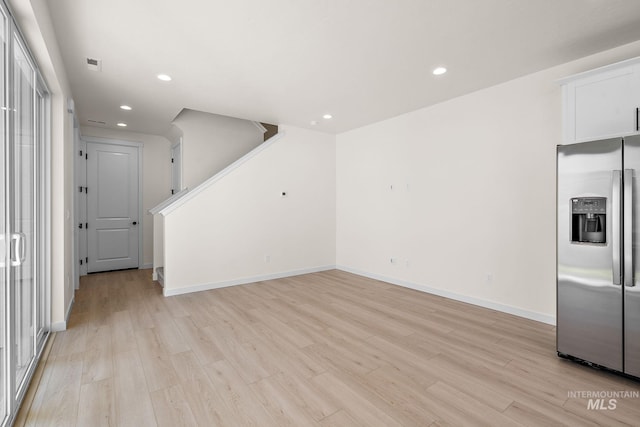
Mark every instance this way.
x=224 y=234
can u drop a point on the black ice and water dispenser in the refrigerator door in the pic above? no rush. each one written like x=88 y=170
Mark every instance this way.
x=589 y=220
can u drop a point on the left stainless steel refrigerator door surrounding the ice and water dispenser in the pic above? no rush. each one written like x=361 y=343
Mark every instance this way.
x=589 y=303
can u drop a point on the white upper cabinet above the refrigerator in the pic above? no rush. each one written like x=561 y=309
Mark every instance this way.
x=602 y=103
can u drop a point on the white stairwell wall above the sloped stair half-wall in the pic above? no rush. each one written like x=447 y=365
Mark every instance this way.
x=212 y=142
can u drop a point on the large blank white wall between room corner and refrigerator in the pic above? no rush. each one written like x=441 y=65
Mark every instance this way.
x=472 y=210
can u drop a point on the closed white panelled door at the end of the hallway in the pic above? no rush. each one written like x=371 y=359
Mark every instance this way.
x=113 y=207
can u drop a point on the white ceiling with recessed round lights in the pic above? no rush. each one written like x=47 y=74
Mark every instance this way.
x=292 y=61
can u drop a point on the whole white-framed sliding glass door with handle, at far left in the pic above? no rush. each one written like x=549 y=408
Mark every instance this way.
x=23 y=227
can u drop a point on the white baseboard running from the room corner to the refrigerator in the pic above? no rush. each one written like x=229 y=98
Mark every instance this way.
x=527 y=314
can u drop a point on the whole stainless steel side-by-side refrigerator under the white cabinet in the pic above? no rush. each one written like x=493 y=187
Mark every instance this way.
x=598 y=284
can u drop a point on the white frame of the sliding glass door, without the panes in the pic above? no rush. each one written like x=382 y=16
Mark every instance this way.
x=41 y=214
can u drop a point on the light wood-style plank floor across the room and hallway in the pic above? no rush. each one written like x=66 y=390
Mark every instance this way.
x=324 y=349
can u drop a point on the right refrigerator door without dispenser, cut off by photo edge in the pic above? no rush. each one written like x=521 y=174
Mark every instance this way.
x=632 y=284
